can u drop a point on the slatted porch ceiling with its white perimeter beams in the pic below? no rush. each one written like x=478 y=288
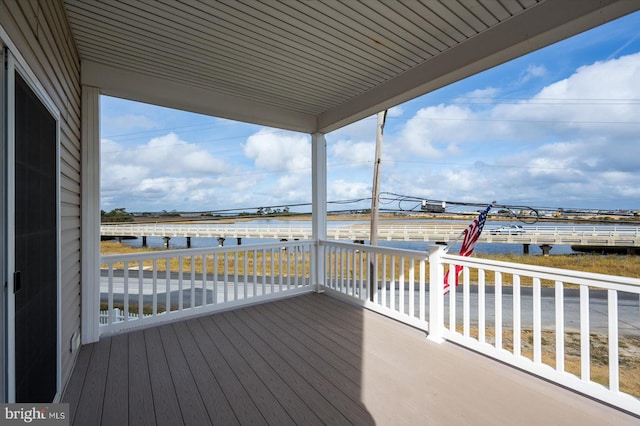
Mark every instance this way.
x=309 y=66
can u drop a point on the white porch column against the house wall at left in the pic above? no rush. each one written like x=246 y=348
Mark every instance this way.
x=90 y=231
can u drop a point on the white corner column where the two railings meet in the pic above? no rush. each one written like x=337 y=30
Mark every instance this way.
x=319 y=205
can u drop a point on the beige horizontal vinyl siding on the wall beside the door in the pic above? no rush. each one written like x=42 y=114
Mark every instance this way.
x=40 y=31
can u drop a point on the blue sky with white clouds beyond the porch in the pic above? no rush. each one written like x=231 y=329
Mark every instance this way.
x=558 y=128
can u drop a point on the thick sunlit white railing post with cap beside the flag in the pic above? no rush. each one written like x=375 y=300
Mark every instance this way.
x=436 y=294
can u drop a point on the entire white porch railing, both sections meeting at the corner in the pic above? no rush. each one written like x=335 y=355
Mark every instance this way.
x=578 y=329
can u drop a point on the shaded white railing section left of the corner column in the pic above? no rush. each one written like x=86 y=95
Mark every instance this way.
x=199 y=281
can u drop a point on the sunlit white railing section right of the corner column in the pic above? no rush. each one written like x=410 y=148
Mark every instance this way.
x=580 y=330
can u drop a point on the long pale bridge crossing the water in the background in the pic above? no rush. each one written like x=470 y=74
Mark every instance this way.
x=543 y=235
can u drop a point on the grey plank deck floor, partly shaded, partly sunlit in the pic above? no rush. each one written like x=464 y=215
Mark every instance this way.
x=308 y=360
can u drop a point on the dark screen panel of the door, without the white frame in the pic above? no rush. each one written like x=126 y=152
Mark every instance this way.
x=35 y=247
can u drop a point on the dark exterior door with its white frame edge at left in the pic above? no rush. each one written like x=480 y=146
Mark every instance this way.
x=32 y=243
